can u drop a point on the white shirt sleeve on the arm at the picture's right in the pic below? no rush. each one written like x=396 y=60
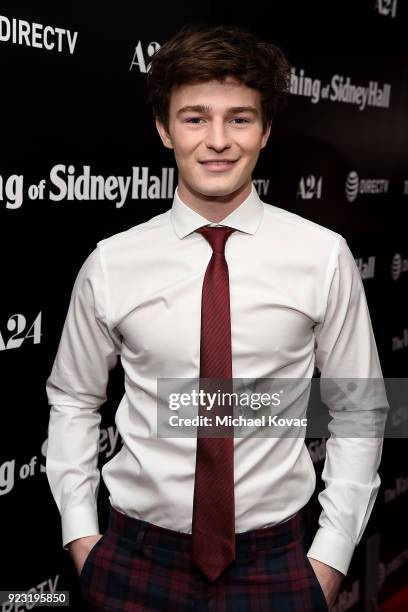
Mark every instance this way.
x=345 y=350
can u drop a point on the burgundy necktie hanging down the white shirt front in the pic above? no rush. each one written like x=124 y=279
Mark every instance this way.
x=213 y=524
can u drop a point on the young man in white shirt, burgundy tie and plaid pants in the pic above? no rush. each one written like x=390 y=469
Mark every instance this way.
x=220 y=285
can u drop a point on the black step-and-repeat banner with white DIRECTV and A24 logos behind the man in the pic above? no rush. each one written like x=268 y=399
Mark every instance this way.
x=80 y=160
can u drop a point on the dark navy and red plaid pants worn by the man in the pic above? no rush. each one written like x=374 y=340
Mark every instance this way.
x=138 y=566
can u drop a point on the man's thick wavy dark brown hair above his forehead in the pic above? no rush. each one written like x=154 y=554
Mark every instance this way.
x=201 y=52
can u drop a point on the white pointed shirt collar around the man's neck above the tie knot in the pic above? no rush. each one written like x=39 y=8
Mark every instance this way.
x=246 y=218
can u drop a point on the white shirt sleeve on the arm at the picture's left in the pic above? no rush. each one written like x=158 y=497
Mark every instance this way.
x=76 y=388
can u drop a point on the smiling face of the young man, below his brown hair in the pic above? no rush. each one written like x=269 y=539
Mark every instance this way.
x=210 y=122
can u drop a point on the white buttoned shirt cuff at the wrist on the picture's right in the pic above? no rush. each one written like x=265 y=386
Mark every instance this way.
x=332 y=548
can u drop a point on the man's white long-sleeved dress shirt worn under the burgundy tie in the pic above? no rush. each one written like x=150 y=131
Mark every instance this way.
x=297 y=300
